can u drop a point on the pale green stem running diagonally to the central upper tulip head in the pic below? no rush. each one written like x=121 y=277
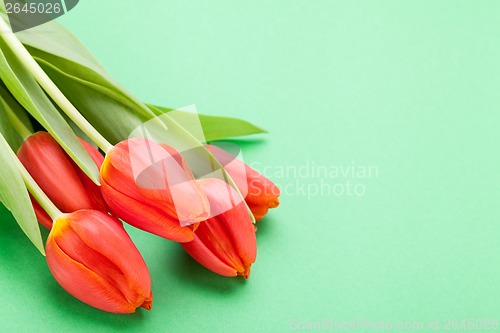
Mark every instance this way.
x=50 y=87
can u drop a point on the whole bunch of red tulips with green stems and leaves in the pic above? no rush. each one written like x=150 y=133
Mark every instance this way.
x=81 y=155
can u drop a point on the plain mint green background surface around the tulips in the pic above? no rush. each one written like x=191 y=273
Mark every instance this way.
x=410 y=88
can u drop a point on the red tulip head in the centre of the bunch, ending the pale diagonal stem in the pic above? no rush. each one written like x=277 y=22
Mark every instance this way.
x=151 y=187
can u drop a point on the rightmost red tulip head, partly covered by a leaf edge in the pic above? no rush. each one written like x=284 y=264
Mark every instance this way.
x=261 y=193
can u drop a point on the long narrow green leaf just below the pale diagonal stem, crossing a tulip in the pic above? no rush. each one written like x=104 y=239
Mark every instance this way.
x=29 y=94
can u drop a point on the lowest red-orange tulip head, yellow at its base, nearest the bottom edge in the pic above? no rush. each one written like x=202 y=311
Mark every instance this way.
x=92 y=257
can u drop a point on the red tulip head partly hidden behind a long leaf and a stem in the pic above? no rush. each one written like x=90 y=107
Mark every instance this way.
x=59 y=177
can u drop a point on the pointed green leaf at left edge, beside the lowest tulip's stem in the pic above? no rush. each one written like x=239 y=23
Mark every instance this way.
x=15 y=195
